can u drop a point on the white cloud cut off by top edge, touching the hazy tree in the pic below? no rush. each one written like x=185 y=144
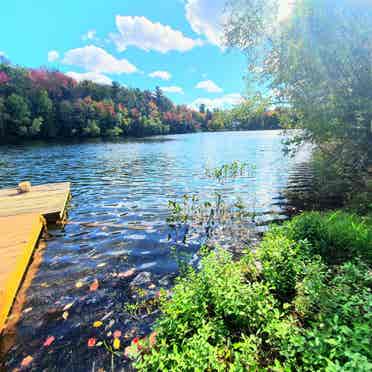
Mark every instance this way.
x=206 y=17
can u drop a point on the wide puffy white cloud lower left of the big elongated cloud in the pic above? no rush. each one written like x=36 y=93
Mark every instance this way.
x=95 y=59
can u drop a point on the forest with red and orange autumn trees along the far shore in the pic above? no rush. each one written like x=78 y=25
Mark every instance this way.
x=47 y=104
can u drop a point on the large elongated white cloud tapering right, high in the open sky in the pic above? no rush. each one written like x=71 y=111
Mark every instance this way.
x=144 y=34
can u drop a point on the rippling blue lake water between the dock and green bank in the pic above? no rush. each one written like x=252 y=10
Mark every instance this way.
x=117 y=222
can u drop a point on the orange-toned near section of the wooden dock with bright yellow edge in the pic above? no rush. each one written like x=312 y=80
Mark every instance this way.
x=18 y=238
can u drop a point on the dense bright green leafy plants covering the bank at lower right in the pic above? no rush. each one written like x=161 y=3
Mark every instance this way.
x=302 y=302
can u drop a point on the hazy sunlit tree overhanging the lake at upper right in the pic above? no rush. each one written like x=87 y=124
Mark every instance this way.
x=317 y=61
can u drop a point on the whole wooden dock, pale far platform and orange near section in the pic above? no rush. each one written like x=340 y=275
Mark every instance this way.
x=22 y=219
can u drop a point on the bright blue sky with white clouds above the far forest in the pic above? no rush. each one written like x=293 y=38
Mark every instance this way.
x=176 y=41
